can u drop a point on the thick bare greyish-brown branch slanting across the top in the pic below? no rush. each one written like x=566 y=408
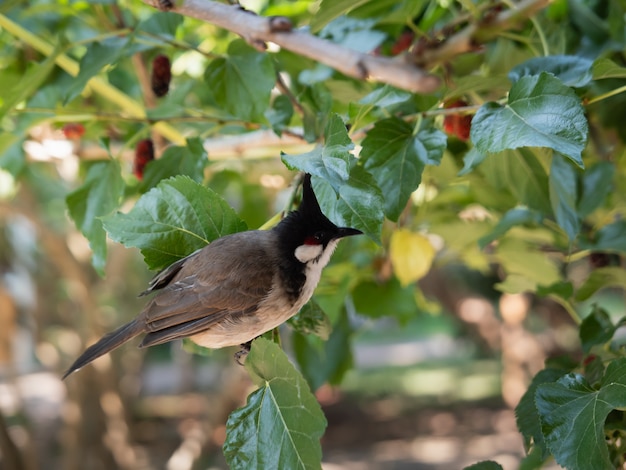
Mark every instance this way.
x=256 y=29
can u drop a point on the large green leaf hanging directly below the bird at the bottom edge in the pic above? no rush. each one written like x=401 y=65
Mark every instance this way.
x=282 y=423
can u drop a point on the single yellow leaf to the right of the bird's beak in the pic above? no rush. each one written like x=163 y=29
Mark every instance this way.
x=411 y=256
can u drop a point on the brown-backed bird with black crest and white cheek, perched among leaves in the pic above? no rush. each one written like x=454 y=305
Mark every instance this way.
x=236 y=288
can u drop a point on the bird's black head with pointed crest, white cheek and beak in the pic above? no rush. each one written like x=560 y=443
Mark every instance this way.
x=308 y=233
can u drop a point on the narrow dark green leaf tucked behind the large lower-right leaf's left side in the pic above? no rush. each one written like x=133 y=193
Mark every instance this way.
x=526 y=414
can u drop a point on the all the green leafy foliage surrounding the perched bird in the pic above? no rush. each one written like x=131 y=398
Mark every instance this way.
x=544 y=164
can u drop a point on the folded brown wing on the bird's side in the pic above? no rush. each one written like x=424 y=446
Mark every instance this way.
x=211 y=285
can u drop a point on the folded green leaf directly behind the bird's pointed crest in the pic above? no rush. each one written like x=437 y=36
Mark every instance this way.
x=357 y=201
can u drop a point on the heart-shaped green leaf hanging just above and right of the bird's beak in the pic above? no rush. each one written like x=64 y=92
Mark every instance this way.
x=397 y=158
